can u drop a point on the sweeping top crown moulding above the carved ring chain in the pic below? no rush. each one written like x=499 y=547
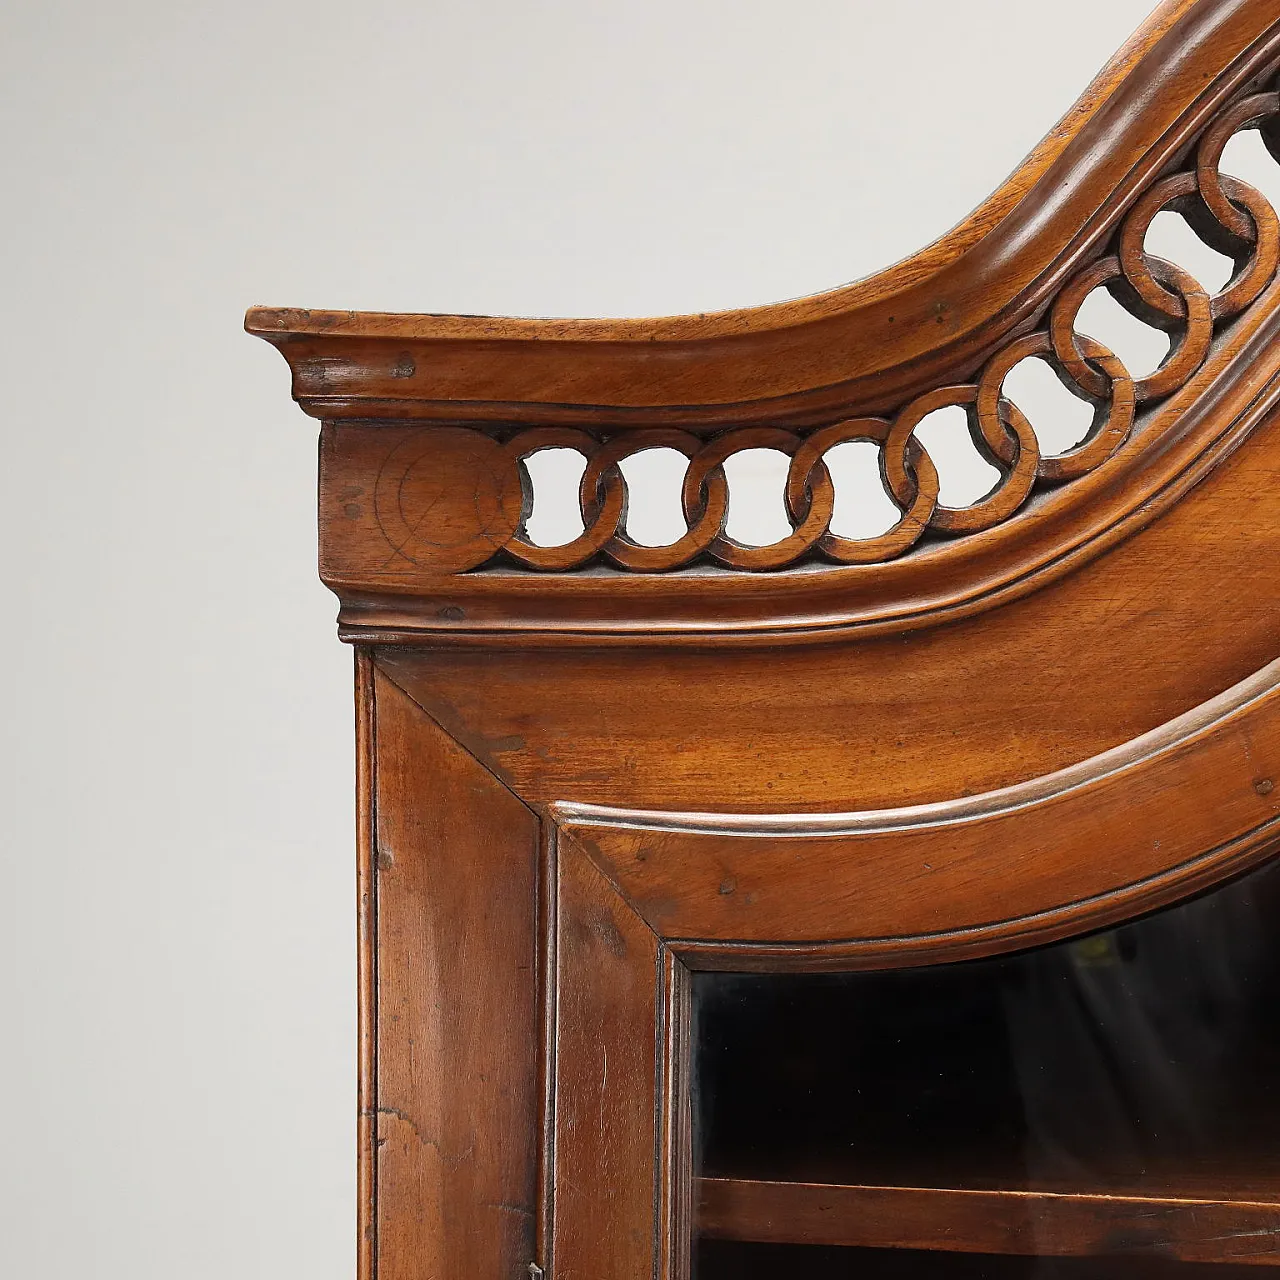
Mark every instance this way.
x=866 y=349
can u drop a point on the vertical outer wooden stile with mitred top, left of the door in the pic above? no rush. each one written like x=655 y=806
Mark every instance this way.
x=458 y=1008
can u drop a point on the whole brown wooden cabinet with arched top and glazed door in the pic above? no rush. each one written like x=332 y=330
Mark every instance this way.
x=893 y=904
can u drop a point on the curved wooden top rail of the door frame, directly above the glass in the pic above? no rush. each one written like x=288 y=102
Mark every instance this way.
x=737 y=892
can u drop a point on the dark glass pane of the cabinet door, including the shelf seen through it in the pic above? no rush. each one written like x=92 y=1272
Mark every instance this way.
x=1133 y=1066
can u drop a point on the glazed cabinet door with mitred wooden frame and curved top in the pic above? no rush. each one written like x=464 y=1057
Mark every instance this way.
x=1037 y=1034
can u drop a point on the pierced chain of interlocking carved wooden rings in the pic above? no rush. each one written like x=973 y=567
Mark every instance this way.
x=1228 y=214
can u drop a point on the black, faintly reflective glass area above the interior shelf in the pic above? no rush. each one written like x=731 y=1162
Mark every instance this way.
x=1141 y=1058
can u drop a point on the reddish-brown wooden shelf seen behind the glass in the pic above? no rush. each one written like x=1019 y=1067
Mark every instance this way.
x=1044 y=1224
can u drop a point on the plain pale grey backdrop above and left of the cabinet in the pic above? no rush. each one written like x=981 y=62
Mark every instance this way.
x=179 y=1052
